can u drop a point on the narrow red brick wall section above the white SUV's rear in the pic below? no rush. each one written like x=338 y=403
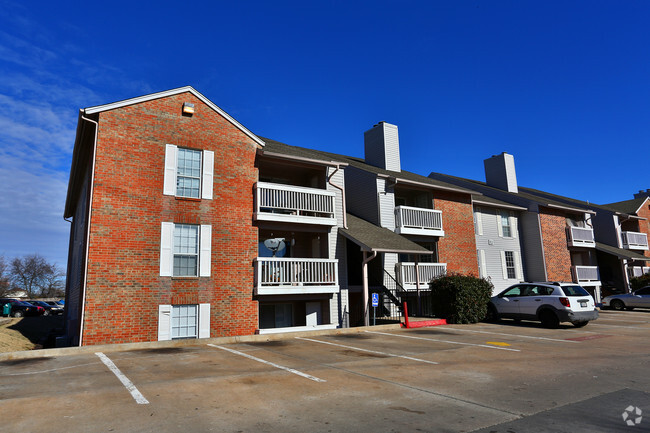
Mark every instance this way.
x=556 y=253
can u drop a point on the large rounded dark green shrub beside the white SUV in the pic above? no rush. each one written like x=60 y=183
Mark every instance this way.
x=460 y=298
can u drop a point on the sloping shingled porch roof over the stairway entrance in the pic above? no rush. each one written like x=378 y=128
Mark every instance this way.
x=372 y=238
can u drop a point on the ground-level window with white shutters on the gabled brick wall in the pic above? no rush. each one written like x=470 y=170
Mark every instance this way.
x=183 y=321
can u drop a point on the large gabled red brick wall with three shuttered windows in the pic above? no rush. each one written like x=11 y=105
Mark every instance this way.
x=124 y=288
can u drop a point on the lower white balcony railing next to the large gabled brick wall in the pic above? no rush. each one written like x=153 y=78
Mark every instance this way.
x=286 y=276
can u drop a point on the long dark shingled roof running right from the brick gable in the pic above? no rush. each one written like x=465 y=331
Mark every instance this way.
x=301 y=152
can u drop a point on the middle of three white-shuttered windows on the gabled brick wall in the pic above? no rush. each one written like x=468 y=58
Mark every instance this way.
x=185 y=250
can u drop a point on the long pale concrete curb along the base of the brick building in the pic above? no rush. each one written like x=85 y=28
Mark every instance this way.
x=124 y=347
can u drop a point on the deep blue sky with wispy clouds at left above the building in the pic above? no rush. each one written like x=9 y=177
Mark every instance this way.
x=563 y=86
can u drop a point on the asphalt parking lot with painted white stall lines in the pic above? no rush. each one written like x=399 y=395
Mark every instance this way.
x=504 y=377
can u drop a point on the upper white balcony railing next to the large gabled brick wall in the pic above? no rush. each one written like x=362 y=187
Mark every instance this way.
x=294 y=204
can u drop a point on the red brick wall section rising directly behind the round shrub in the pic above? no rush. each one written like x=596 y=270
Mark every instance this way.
x=458 y=247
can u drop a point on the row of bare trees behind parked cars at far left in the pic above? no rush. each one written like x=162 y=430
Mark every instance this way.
x=32 y=274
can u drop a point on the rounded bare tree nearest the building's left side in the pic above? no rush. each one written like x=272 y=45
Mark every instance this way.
x=36 y=276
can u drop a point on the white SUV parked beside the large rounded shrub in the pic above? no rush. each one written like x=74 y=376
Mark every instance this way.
x=549 y=303
